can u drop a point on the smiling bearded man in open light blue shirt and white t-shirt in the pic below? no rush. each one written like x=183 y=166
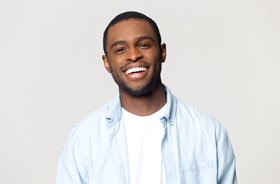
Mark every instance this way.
x=145 y=135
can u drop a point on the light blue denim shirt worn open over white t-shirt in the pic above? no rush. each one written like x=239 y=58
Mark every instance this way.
x=195 y=148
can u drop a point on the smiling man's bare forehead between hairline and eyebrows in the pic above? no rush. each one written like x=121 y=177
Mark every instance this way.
x=130 y=29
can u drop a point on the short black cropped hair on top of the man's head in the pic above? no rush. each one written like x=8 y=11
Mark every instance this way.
x=130 y=15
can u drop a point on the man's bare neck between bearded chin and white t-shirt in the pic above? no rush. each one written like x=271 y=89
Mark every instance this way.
x=144 y=105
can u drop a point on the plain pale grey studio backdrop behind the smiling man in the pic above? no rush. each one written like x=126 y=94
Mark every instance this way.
x=223 y=57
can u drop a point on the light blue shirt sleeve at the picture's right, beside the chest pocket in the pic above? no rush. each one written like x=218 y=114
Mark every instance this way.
x=226 y=160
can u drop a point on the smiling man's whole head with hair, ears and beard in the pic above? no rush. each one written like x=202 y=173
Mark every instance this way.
x=134 y=53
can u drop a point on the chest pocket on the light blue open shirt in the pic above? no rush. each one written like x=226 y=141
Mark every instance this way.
x=198 y=172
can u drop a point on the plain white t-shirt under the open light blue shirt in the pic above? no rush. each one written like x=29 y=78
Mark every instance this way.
x=144 y=137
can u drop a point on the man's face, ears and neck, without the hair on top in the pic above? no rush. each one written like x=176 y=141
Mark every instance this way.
x=134 y=59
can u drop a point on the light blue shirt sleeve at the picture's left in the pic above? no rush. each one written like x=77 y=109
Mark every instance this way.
x=71 y=169
